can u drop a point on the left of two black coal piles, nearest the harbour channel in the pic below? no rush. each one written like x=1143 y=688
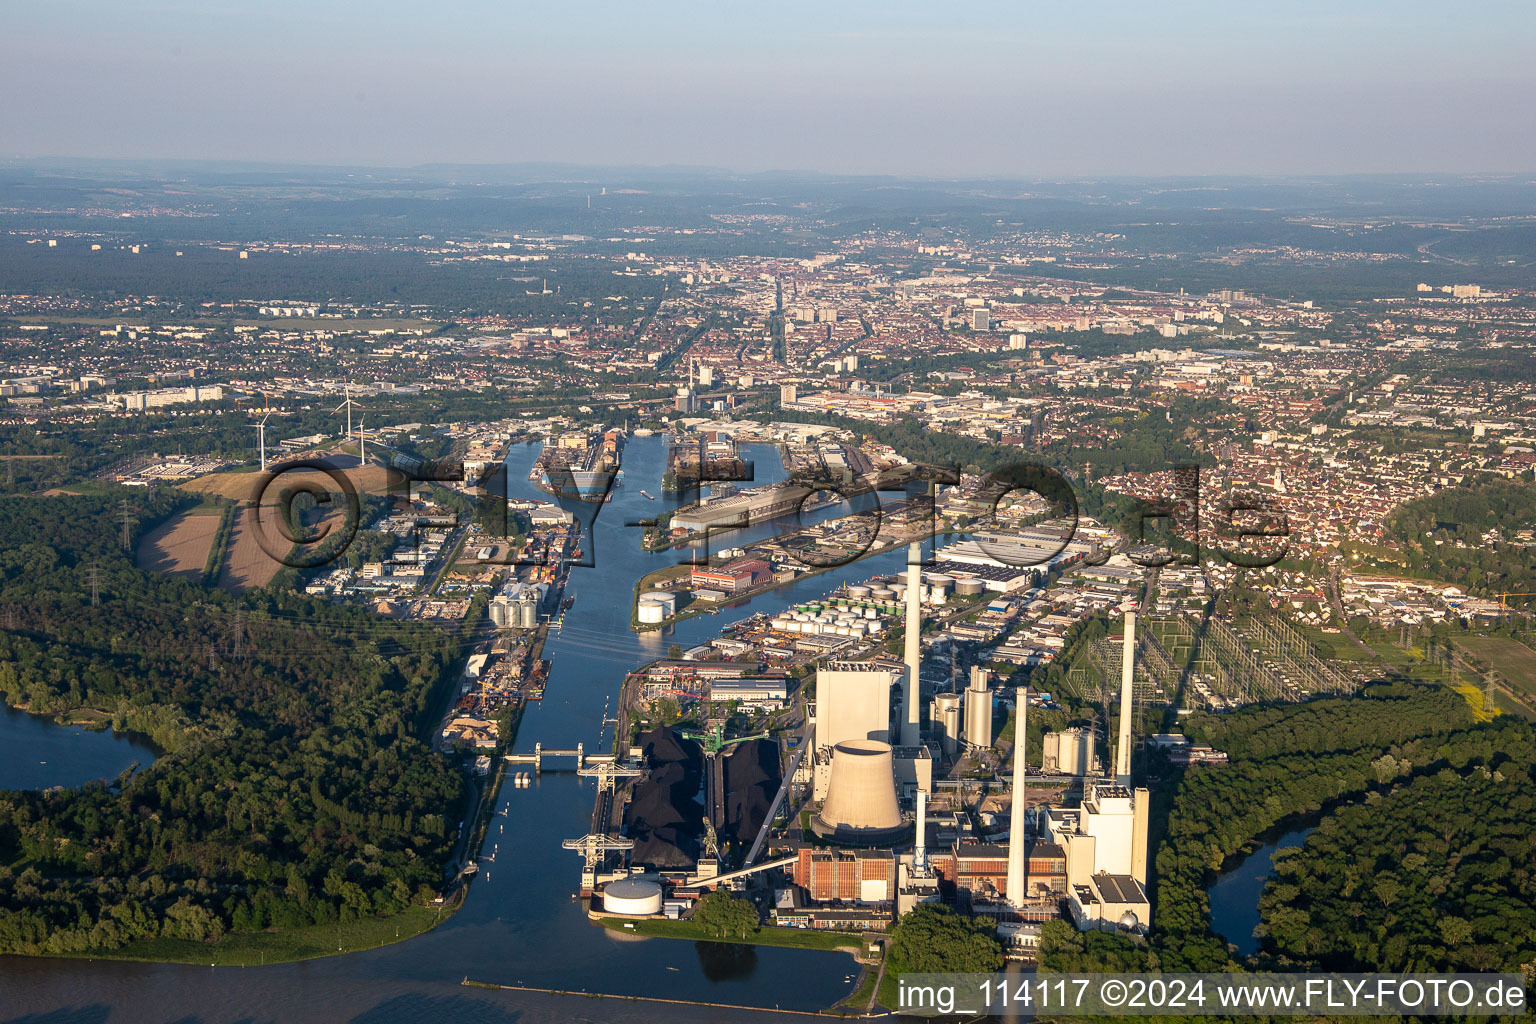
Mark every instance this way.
x=664 y=816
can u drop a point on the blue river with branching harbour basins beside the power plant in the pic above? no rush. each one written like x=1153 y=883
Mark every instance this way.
x=520 y=923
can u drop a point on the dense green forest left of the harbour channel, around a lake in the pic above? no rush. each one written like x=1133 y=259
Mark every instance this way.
x=293 y=787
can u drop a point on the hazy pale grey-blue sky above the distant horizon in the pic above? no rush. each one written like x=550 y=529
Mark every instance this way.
x=936 y=90
